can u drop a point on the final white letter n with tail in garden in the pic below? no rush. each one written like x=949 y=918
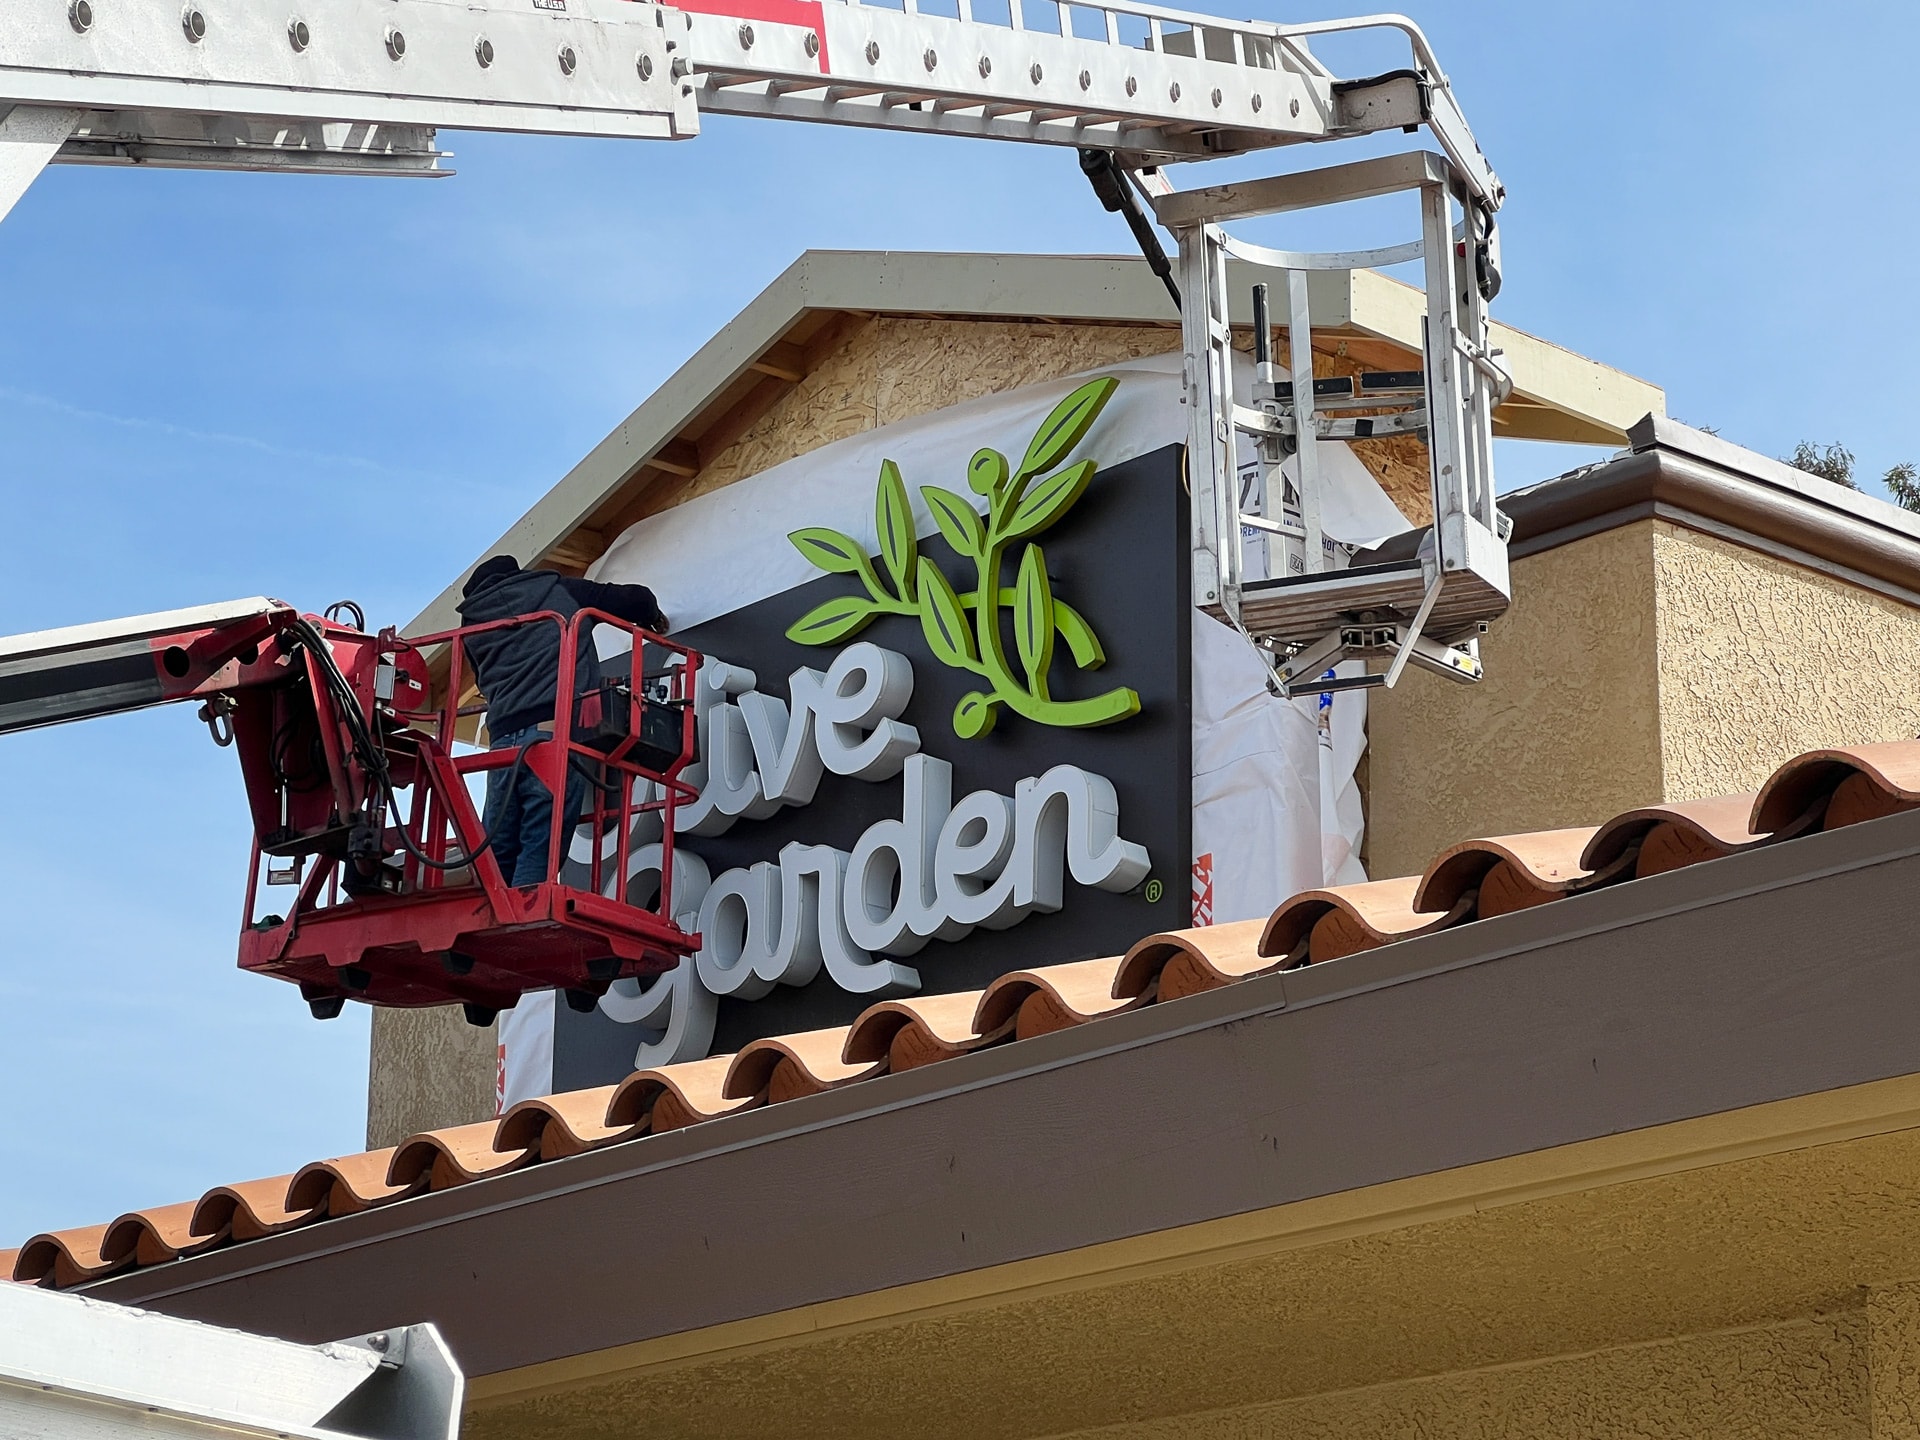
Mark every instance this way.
x=1070 y=815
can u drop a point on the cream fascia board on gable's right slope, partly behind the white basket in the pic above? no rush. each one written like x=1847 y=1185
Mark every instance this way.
x=1593 y=402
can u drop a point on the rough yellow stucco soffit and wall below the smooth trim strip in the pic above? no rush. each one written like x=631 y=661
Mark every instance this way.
x=1775 y=1243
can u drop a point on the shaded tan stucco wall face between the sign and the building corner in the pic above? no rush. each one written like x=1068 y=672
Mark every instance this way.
x=1562 y=732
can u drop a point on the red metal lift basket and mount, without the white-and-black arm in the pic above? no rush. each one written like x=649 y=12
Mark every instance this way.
x=398 y=900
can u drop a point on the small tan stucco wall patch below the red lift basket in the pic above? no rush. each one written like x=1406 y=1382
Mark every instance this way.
x=427 y=1068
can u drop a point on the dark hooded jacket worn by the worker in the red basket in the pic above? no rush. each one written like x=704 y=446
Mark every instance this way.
x=519 y=669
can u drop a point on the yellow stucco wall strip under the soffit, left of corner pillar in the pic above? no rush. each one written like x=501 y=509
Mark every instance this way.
x=1804 y=1380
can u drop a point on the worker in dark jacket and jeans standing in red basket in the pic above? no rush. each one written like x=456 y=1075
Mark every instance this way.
x=519 y=675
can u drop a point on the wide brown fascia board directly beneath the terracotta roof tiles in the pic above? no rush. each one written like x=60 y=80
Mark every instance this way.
x=1765 y=976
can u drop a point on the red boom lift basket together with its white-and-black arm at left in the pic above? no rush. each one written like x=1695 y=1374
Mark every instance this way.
x=362 y=802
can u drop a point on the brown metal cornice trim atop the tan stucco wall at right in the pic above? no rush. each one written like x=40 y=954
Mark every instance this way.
x=1710 y=485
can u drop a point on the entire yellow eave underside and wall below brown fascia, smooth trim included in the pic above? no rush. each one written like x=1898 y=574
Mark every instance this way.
x=1748 y=1274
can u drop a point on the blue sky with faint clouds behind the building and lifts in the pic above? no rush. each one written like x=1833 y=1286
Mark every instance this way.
x=226 y=385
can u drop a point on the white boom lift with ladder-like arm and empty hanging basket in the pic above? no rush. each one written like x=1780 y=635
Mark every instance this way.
x=362 y=87
